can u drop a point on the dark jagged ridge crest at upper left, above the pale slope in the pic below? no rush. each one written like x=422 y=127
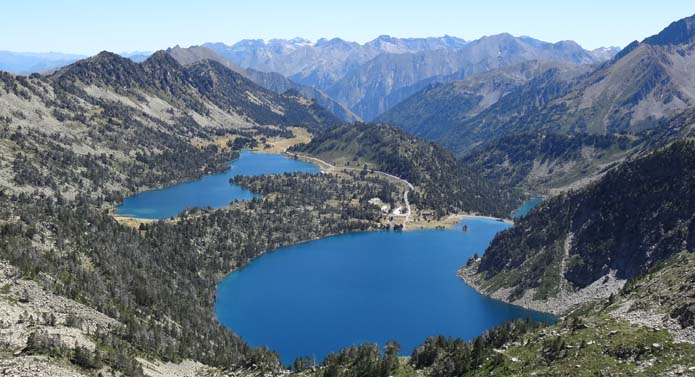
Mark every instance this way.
x=193 y=85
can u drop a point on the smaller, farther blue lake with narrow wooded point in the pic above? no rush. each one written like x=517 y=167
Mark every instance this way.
x=211 y=190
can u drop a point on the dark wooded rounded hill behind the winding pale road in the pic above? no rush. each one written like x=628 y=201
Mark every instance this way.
x=444 y=183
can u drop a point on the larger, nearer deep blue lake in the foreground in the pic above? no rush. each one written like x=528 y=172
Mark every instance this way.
x=322 y=296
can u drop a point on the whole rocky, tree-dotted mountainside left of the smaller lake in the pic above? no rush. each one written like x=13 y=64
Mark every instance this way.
x=134 y=122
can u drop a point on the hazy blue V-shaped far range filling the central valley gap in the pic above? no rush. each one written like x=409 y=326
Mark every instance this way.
x=371 y=78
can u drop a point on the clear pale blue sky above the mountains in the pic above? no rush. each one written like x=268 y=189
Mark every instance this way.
x=89 y=26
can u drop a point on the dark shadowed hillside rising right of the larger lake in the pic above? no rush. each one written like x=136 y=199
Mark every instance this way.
x=635 y=216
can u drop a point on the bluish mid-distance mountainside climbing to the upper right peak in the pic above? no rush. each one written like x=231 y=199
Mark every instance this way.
x=646 y=83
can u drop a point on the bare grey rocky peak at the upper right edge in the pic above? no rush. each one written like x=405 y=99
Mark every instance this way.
x=647 y=82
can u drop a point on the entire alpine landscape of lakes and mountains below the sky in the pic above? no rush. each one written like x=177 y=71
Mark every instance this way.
x=289 y=207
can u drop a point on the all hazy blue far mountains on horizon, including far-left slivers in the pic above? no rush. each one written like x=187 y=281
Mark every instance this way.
x=355 y=81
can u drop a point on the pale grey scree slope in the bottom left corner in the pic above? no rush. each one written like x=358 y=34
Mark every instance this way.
x=26 y=309
